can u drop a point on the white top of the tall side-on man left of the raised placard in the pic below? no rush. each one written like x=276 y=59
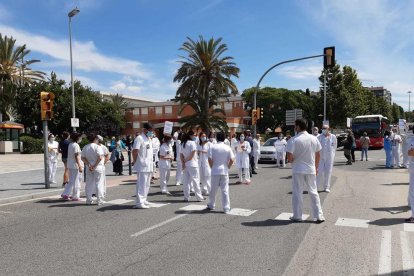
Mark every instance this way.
x=144 y=162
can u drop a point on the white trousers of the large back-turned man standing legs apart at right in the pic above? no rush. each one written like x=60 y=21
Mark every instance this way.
x=298 y=182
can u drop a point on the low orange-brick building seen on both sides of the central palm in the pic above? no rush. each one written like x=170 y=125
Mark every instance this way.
x=158 y=112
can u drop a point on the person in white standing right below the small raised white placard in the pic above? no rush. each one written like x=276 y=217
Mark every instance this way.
x=166 y=157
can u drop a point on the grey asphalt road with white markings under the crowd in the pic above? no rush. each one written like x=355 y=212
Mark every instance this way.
x=364 y=233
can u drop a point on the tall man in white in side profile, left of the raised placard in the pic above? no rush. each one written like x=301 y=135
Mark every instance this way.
x=142 y=156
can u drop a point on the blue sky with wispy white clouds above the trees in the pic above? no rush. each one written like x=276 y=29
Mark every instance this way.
x=132 y=46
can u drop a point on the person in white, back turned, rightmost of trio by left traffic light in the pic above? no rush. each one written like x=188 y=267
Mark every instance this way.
x=93 y=158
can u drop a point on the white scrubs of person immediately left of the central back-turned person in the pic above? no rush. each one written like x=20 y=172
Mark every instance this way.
x=191 y=176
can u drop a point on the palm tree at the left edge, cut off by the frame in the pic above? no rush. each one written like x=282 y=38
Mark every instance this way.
x=14 y=73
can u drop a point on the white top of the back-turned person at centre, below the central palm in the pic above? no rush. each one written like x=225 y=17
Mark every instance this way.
x=220 y=154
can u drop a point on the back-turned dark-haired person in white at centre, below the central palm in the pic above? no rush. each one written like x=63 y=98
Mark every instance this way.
x=221 y=158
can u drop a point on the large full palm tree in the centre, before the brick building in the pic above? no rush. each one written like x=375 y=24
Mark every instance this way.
x=204 y=78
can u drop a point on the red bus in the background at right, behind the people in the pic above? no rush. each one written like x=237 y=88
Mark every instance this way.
x=374 y=126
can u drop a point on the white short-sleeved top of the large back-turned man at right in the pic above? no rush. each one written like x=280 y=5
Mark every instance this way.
x=303 y=148
